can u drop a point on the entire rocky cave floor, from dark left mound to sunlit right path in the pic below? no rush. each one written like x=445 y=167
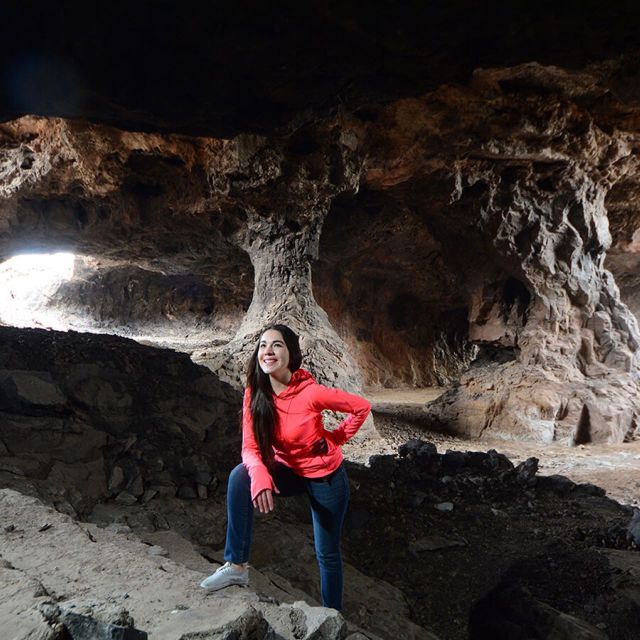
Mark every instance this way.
x=105 y=522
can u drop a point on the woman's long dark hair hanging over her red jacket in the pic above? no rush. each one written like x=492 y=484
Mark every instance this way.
x=263 y=410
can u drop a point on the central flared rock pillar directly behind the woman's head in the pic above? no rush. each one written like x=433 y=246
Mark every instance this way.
x=281 y=236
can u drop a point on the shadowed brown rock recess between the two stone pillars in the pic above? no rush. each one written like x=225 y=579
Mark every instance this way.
x=392 y=293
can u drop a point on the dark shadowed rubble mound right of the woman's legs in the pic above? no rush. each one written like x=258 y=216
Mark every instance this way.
x=452 y=528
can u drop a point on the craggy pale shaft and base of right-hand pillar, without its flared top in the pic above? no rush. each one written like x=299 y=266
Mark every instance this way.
x=547 y=301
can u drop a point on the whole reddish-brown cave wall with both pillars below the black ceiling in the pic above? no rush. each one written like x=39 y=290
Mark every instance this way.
x=456 y=237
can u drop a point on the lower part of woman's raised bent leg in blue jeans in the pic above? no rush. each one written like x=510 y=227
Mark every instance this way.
x=239 y=516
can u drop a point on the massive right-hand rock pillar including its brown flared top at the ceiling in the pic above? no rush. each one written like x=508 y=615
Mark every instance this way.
x=519 y=207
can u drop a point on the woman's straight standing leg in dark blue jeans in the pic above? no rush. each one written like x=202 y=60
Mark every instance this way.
x=329 y=501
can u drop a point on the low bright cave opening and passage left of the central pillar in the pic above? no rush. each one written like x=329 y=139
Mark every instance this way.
x=73 y=292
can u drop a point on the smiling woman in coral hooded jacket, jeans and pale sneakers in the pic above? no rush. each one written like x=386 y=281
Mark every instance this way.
x=287 y=451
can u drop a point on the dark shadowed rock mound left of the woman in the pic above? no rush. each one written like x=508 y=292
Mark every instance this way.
x=86 y=418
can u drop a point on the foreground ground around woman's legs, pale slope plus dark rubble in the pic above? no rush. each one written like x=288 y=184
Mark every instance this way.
x=451 y=545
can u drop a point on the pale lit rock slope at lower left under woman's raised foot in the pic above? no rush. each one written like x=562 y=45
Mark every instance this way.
x=109 y=586
